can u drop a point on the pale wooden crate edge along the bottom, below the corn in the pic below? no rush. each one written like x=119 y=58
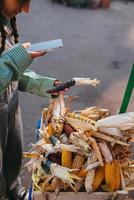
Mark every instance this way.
x=78 y=196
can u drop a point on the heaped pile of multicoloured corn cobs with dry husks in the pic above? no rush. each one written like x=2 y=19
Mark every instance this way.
x=85 y=150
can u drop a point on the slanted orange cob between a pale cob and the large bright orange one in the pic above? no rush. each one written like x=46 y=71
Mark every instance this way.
x=99 y=177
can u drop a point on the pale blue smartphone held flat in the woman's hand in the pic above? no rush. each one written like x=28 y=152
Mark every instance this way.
x=46 y=46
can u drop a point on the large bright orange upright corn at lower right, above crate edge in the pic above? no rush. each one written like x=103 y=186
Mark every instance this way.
x=112 y=176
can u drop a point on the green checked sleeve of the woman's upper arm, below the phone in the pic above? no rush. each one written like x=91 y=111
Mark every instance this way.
x=13 y=63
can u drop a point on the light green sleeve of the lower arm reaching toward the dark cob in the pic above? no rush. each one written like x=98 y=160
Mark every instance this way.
x=35 y=84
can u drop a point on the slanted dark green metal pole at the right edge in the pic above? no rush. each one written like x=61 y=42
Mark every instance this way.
x=128 y=92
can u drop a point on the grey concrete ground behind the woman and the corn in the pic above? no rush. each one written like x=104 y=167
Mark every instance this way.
x=97 y=44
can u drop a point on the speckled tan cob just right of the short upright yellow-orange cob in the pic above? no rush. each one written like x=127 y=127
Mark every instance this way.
x=78 y=162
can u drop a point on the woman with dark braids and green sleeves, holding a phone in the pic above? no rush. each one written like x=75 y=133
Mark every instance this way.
x=14 y=76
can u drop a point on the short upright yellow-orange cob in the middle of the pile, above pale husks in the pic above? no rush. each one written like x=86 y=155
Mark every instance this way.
x=66 y=158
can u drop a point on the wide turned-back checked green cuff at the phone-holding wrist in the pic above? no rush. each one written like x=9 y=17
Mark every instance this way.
x=19 y=57
